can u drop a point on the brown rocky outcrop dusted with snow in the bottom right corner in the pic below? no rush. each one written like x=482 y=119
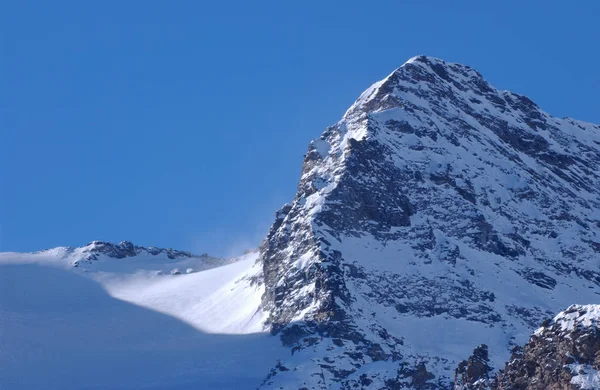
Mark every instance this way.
x=563 y=354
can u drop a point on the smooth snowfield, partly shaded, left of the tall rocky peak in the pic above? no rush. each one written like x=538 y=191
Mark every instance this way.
x=125 y=322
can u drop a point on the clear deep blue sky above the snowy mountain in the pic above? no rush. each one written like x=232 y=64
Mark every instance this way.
x=183 y=123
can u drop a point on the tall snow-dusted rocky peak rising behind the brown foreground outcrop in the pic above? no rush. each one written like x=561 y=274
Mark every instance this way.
x=437 y=215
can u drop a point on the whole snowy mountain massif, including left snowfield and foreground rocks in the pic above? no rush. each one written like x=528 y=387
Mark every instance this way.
x=435 y=227
